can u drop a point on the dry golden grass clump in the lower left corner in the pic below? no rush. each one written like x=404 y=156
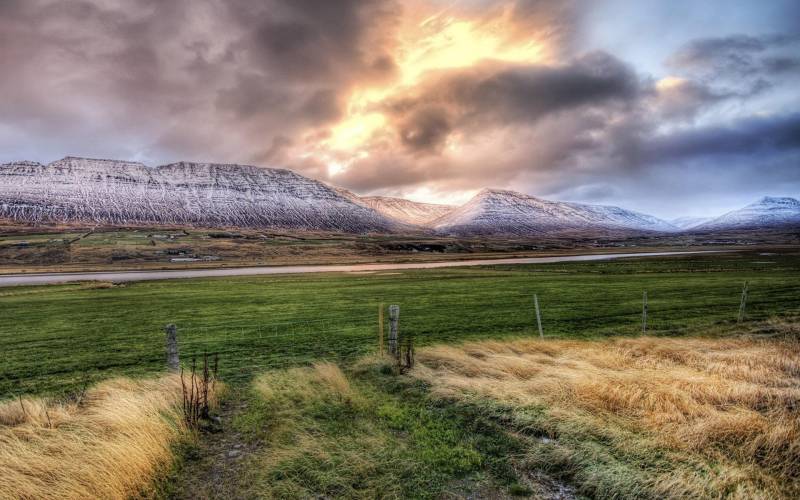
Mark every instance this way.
x=111 y=445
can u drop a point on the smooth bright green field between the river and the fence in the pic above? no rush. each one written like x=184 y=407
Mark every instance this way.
x=56 y=338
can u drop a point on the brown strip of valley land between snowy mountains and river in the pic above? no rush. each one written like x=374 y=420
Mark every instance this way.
x=75 y=249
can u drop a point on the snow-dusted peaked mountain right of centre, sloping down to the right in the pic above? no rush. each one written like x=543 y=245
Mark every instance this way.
x=500 y=212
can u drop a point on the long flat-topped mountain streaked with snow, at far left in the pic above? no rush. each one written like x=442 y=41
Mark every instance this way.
x=201 y=194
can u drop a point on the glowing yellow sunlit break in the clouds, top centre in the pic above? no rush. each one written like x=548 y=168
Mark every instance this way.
x=427 y=42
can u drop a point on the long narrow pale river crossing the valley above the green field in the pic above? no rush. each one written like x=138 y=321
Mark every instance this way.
x=119 y=276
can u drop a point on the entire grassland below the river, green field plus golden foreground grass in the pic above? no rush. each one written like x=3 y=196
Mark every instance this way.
x=702 y=407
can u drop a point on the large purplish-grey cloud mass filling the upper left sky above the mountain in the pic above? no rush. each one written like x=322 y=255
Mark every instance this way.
x=194 y=79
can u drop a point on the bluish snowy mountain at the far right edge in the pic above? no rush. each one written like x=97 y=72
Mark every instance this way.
x=768 y=212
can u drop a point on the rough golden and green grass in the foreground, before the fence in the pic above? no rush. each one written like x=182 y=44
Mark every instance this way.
x=647 y=417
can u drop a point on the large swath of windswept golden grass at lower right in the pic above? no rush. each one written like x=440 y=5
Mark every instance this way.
x=727 y=411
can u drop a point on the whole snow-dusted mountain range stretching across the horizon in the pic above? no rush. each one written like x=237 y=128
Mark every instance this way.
x=105 y=191
